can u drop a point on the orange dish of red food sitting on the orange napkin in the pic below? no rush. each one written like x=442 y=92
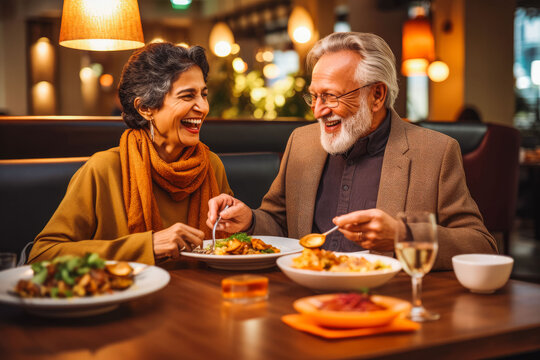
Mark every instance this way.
x=351 y=310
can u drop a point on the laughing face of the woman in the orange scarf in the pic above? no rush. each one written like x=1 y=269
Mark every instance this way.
x=178 y=121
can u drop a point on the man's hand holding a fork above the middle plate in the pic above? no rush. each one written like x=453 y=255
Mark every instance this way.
x=238 y=217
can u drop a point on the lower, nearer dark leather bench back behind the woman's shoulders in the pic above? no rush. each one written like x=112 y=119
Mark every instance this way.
x=32 y=189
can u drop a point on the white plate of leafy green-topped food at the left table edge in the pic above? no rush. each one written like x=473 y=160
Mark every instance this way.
x=73 y=286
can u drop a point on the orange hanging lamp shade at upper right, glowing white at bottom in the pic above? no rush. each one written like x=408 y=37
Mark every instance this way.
x=417 y=43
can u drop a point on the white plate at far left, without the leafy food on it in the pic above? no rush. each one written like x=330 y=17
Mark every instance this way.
x=149 y=280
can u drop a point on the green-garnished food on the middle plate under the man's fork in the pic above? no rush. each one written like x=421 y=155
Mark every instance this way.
x=243 y=244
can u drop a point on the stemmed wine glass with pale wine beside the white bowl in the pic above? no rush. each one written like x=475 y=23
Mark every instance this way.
x=416 y=248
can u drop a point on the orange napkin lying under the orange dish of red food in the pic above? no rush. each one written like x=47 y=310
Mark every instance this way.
x=303 y=323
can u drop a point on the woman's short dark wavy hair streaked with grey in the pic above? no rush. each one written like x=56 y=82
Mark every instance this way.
x=150 y=73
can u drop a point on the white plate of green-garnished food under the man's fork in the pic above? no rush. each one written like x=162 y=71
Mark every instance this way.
x=243 y=252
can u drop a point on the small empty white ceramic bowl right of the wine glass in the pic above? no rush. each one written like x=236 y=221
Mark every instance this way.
x=482 y=273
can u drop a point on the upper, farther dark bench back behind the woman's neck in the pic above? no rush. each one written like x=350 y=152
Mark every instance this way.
x=70 y=136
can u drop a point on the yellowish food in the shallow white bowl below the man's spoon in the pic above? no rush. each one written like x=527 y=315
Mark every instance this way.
x=324 y=260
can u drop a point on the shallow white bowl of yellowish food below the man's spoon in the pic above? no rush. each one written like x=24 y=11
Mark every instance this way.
x=323 y=270
